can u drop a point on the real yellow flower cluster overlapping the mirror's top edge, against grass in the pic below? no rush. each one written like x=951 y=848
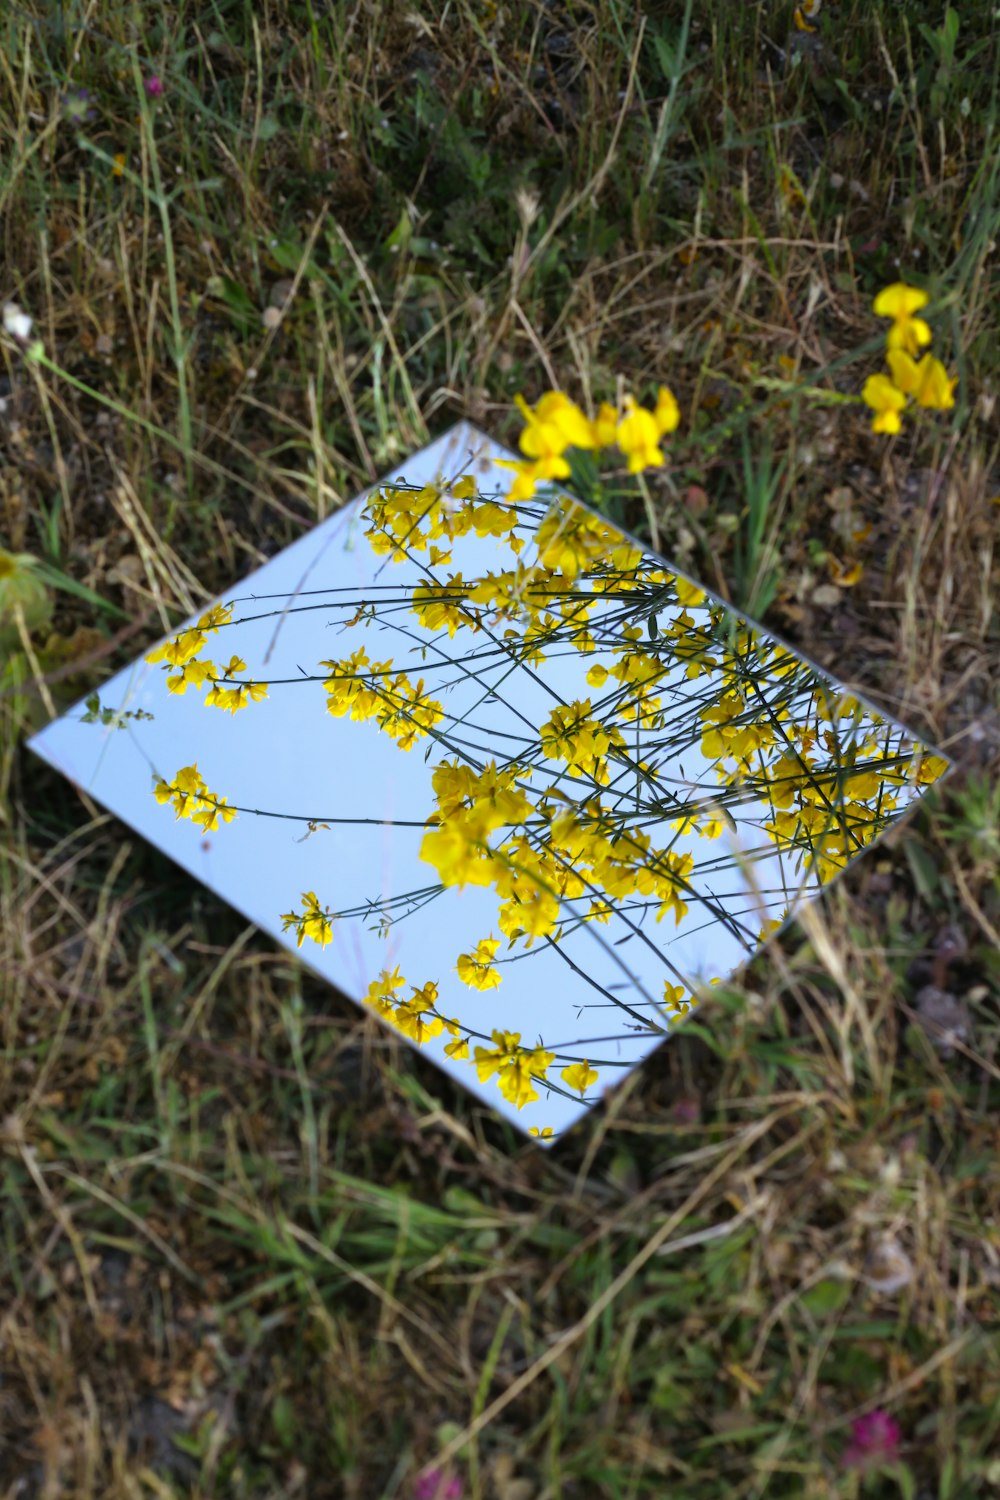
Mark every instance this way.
x=555 y=425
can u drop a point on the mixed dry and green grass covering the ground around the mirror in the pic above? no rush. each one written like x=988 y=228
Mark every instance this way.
x=251 y=1246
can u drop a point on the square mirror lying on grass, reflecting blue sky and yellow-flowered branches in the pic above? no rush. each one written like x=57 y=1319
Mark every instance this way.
x=506 y=778
